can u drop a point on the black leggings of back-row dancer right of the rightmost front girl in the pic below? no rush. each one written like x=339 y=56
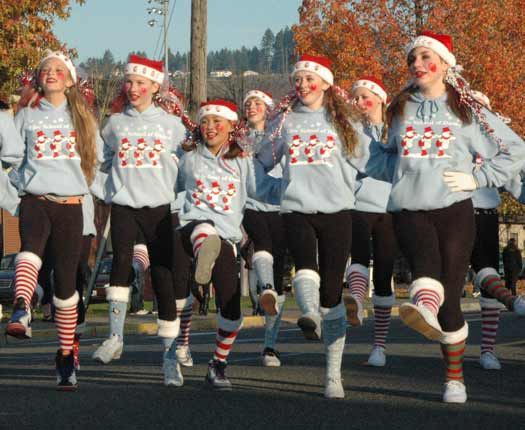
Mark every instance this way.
x=486 y=244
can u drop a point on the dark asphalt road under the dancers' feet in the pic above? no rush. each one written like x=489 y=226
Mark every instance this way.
x=128 y=393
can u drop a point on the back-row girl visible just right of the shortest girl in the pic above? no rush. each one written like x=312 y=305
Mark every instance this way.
x=264 y=226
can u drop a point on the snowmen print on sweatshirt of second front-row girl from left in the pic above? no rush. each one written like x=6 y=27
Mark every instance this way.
x=141 y=147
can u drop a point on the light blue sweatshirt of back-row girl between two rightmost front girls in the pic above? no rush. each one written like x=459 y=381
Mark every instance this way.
x=371 y=195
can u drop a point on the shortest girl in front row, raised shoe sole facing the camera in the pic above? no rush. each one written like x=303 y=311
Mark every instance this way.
x=217 y=176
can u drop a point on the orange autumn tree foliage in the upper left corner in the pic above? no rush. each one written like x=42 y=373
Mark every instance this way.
x=25 y=31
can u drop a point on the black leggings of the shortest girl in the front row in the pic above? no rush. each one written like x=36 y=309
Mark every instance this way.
x=225 y=274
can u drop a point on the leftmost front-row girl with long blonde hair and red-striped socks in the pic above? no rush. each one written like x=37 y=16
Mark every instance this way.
x=54 y=181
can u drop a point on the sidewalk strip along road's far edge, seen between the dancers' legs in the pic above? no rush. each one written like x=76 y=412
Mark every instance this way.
x=97 y=325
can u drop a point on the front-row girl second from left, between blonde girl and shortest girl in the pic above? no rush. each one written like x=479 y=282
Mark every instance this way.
x=140 y=159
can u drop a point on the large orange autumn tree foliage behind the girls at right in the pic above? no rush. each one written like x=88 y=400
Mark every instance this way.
x=369 y=37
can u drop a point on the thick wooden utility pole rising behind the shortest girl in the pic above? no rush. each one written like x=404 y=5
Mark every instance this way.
x=198 y=62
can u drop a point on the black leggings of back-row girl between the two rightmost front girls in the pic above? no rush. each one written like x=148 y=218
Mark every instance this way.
x=379 y=227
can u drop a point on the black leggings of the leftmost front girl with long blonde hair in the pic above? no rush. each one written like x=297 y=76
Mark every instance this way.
x=56 y=228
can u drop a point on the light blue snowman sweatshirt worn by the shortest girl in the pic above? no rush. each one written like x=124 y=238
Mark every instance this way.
x=217 y=189
